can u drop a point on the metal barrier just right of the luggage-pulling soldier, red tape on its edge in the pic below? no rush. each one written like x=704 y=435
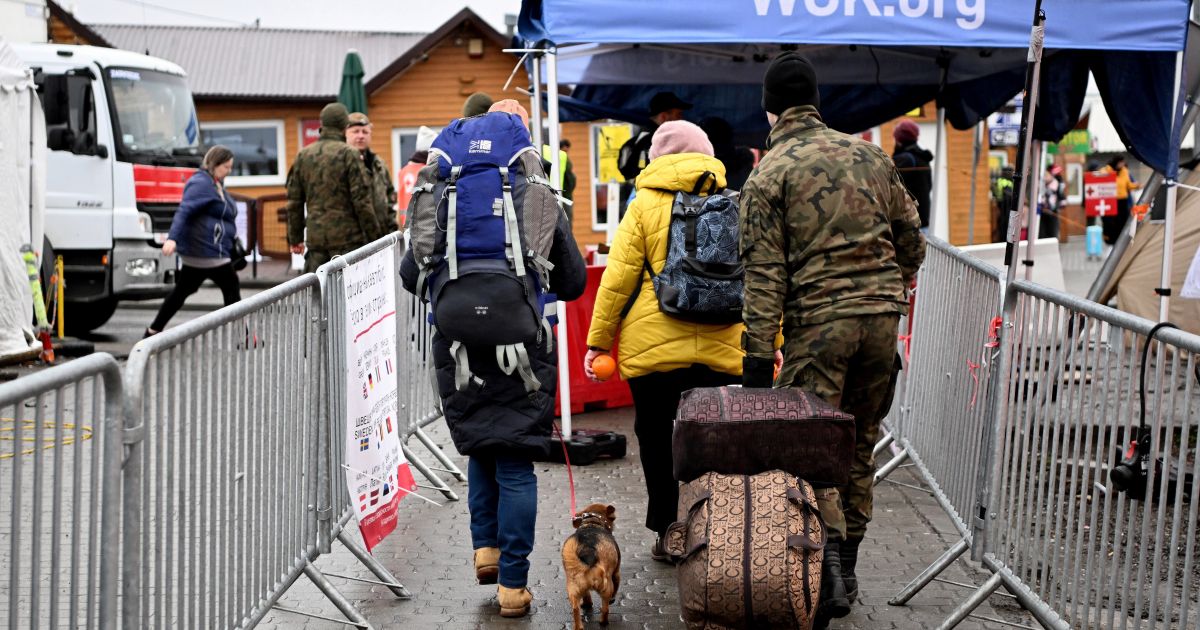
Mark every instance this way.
x=943 y=415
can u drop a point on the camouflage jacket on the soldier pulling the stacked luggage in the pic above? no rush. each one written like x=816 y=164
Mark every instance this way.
x=829 y=232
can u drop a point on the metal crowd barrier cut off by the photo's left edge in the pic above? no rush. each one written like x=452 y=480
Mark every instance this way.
x=61 y=457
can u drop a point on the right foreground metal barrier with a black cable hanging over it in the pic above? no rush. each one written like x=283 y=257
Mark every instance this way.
x=1077 y=553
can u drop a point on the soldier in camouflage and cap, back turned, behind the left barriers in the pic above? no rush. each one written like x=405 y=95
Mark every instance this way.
x=328 y=179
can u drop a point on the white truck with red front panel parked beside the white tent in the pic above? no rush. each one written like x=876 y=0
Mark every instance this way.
x=123 y=140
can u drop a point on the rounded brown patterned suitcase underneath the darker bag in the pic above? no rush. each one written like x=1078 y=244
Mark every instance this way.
x=749 y=551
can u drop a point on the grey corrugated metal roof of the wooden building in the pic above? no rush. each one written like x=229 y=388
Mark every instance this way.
x=262 y=63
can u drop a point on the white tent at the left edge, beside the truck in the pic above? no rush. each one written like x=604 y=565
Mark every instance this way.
x=22 y=196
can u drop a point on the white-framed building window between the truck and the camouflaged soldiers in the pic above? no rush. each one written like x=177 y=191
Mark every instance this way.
x=257 y=149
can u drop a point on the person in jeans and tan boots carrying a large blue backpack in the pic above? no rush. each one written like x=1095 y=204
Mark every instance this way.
x=489 y=242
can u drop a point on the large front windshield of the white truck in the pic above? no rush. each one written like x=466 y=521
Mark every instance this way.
x=154 y=112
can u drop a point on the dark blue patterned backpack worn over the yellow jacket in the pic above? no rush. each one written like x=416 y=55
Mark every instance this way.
x=703 y=280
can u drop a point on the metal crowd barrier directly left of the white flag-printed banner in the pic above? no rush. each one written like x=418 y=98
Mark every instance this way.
x=226 y=476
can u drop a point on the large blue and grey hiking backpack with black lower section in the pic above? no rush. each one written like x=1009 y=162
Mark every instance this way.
x=482 y=225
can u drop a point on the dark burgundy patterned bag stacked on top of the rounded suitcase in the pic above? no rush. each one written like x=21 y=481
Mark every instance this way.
x=749 y=431
